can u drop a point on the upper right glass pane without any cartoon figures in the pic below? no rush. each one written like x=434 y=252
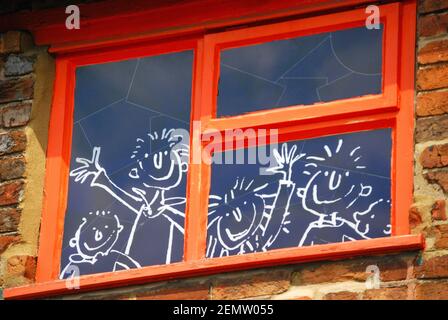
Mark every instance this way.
x=300 y=71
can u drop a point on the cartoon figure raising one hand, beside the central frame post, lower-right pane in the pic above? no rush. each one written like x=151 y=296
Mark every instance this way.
x=245 y=219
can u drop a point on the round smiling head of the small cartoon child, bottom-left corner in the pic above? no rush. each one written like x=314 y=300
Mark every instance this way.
x=97 y=233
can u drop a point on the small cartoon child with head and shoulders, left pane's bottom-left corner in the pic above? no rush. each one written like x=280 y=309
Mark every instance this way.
x=94 y=240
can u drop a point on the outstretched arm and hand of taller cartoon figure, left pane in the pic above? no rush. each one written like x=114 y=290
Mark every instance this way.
x=92 y=169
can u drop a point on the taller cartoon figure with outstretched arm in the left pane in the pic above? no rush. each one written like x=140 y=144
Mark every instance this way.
x=161 y=164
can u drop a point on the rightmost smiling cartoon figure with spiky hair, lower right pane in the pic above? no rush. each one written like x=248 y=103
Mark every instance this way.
x=331 y=195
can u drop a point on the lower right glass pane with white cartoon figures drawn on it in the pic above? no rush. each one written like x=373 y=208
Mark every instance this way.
x=323 y=190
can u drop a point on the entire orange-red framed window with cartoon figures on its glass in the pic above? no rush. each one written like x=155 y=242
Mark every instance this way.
x=328 y=102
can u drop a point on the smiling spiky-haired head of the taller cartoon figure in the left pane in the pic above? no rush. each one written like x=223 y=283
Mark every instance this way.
x=164 y=167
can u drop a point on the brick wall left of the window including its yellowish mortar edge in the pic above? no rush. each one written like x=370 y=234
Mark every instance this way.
x=26 y=74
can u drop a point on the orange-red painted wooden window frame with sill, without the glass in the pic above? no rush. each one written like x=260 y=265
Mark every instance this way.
x=398 y=114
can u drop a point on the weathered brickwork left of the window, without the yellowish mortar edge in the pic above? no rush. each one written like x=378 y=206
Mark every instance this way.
x=17 y=80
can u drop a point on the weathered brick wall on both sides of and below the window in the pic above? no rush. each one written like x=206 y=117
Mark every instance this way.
x=411 y=275
